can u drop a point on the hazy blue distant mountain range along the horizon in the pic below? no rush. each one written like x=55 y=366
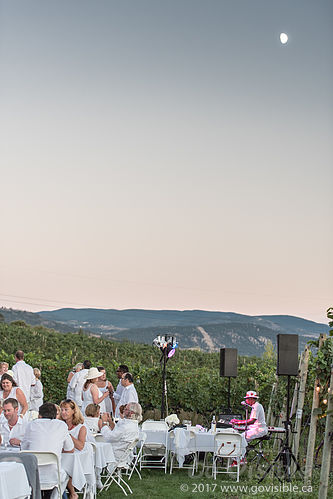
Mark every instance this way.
x=201 y=329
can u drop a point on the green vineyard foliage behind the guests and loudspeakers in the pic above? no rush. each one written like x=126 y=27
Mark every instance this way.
x=193 y=380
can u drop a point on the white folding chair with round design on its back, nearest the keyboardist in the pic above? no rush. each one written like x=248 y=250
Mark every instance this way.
x=227 y=446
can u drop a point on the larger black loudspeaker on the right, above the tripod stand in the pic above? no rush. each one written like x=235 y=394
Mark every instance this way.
x=287 y=364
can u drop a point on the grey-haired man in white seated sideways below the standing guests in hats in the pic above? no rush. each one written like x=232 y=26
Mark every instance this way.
x=123 y=432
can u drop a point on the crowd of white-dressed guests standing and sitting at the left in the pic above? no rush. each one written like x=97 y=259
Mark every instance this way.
x=91 y=405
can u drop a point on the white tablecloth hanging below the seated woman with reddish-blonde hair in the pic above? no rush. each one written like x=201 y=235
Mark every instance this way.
x=80 y=466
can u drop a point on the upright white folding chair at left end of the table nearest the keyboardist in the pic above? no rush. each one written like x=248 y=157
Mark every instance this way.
x=155 y=449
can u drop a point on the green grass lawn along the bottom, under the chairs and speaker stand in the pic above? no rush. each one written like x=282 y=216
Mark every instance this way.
x=181 y=485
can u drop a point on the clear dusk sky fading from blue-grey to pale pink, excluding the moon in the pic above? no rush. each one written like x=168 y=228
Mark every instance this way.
x=167 y=155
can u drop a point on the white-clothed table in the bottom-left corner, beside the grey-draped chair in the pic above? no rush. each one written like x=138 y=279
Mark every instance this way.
x=13 y=481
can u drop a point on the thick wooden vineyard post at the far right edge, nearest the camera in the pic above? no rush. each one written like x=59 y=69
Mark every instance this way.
x=326 y=458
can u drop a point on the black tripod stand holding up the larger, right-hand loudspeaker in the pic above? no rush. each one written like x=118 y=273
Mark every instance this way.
x=285 y=457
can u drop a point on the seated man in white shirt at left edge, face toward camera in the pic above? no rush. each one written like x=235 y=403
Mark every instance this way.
x=13 y=426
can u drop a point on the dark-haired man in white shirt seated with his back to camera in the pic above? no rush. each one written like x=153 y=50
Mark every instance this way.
x=48 y=434
